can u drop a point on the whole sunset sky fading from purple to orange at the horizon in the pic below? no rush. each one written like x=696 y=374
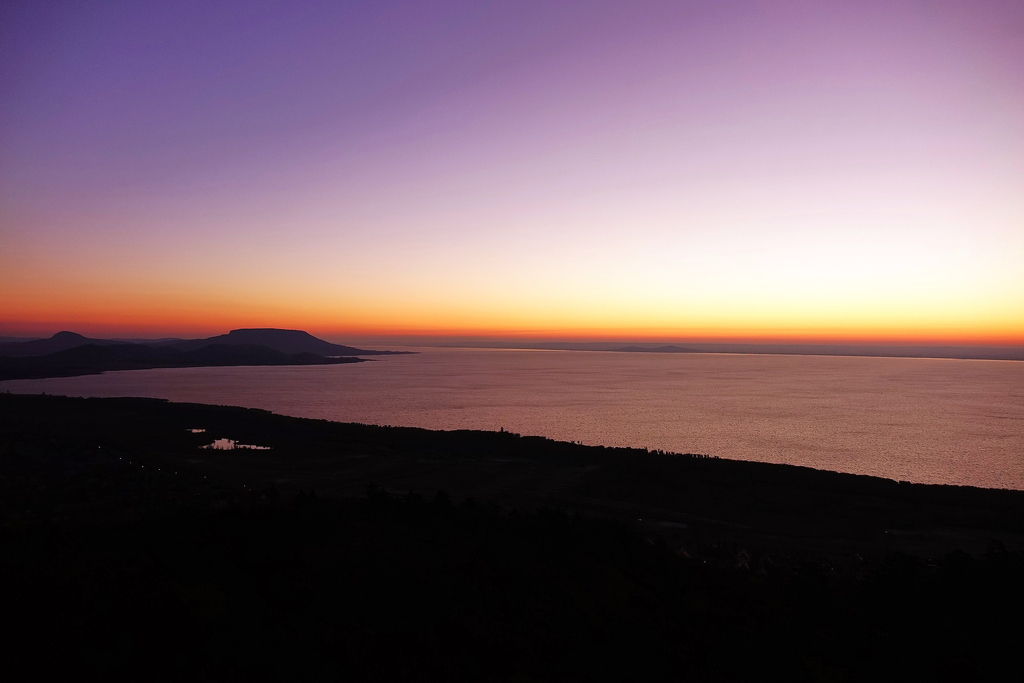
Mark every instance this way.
x=575 y=170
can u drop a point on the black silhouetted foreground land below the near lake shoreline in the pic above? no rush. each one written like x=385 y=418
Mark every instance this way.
x=126 y=551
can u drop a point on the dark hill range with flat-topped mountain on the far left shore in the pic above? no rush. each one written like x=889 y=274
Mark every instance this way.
x=69 y=355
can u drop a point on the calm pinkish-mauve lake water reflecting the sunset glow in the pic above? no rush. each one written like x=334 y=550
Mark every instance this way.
x=922 y=420
